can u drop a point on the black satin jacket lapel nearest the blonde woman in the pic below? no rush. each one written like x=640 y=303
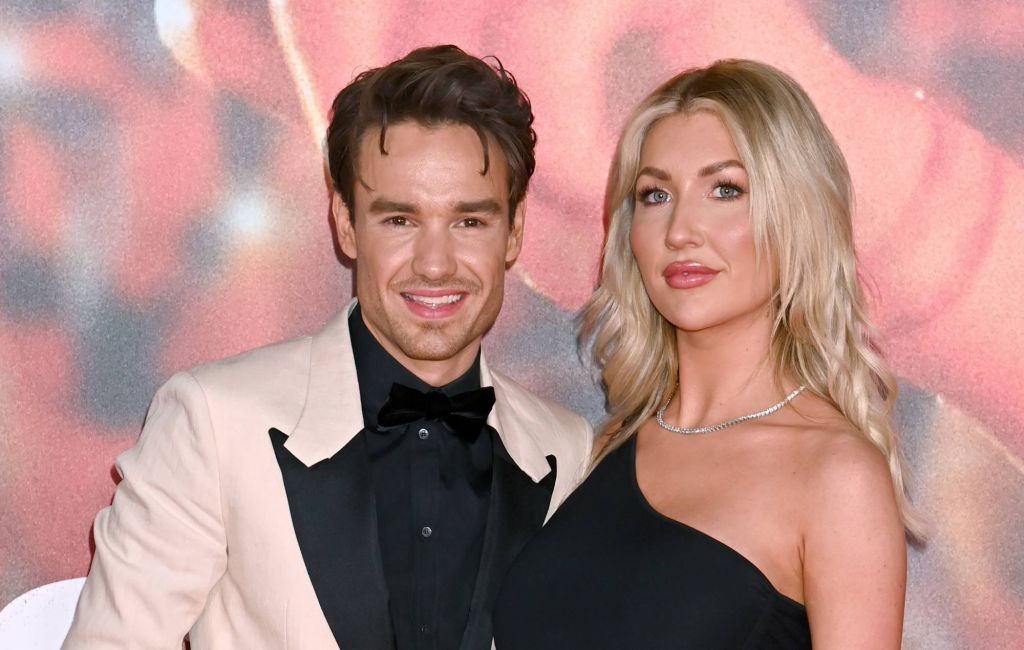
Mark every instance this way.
x=518 y=510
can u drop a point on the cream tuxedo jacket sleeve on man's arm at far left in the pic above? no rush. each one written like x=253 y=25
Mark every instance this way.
x=161 y=546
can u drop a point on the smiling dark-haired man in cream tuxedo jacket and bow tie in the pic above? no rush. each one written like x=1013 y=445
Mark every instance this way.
x=365 y=488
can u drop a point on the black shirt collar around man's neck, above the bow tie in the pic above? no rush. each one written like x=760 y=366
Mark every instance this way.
x=376 y=370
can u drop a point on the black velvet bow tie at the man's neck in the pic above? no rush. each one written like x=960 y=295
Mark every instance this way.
x=465 y=413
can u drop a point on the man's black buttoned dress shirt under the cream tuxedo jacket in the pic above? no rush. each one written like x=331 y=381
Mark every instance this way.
x=433 y=492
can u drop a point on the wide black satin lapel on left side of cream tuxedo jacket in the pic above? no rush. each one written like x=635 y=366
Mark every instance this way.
x=335 y=521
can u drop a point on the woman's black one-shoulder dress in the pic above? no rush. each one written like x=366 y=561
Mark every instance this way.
x=609 y=572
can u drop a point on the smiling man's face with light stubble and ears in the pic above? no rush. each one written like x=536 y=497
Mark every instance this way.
x=432 y=240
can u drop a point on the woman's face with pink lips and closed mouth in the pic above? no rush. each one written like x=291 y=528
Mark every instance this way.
x=692 y=233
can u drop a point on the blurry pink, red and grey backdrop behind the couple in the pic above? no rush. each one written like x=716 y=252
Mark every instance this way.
x=163 y=203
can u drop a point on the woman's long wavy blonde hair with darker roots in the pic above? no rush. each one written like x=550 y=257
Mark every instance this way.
x=801 y=204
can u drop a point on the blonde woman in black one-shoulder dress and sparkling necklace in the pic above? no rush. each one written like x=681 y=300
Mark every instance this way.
x=748 y=490
